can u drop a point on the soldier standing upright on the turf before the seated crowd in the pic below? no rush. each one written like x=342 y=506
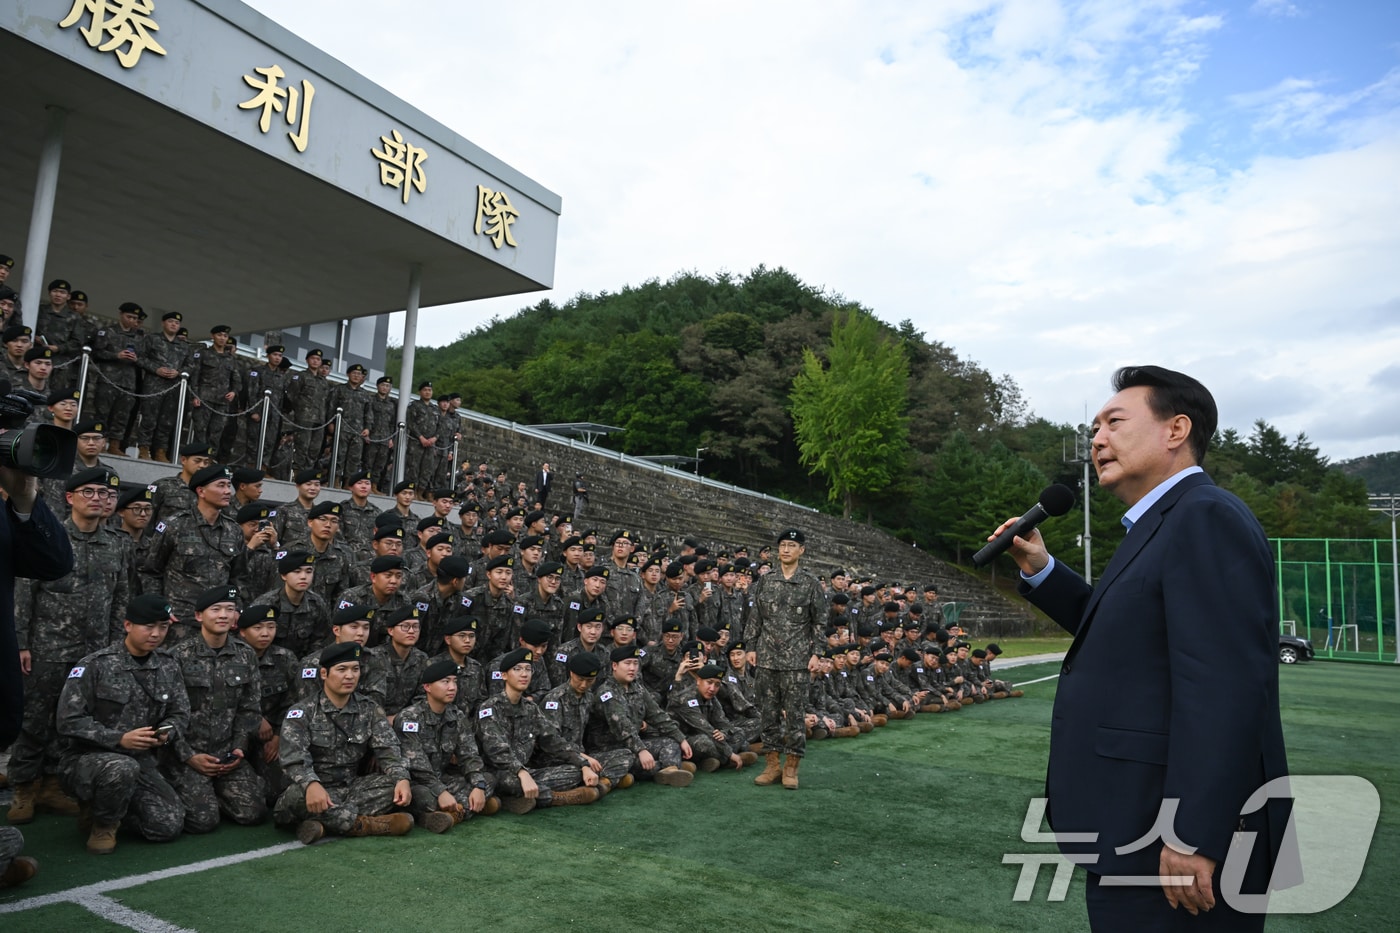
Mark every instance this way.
x=785 y=630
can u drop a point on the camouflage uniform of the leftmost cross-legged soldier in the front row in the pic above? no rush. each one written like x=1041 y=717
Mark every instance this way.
x=325 y=745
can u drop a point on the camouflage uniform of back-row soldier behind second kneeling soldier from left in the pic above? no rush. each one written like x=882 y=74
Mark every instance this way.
x=188 y=557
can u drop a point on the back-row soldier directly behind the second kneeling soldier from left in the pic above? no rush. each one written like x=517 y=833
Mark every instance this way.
x=197 y=551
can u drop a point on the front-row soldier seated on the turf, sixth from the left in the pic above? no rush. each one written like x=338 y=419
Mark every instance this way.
x=628 y=717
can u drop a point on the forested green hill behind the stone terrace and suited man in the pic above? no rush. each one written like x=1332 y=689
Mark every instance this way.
x=807 y=396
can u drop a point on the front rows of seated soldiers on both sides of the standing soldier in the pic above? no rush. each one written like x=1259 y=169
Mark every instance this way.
x=166 y=740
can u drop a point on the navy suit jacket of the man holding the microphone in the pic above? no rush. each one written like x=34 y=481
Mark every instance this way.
x=1171 y=686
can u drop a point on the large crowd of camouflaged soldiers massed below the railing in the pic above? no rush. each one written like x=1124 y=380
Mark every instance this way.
x=353 y=672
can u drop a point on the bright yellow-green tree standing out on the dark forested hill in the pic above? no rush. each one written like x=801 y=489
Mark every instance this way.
x=849 y=415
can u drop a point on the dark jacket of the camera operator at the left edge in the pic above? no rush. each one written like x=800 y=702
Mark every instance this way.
x=40 y=550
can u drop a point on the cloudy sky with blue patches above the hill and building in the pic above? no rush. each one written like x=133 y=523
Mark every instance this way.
x=1052 y=188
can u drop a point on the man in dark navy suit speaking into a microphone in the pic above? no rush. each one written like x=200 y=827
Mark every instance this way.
x=1167 y=714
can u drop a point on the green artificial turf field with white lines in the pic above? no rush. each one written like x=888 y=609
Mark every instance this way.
x=901 y=830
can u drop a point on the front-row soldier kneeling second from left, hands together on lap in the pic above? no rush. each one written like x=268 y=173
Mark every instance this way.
x=209 y=764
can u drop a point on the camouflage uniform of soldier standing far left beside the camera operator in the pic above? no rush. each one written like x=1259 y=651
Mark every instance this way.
x=59 y=623
